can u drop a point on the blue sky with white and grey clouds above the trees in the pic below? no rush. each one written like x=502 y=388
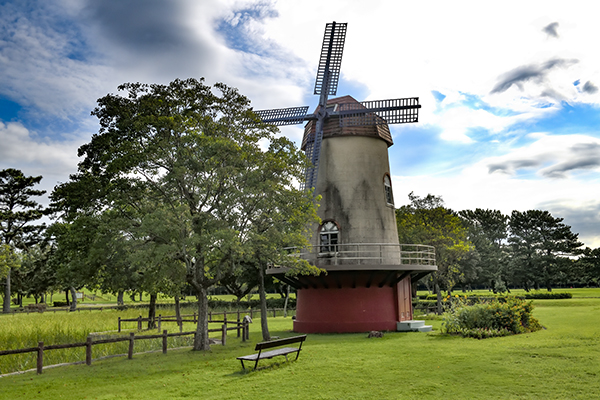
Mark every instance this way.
x=510 y=116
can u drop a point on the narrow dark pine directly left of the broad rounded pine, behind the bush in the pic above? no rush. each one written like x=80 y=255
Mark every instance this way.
x=488 y=231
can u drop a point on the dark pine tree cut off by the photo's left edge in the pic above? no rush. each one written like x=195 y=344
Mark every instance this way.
x=17 y=212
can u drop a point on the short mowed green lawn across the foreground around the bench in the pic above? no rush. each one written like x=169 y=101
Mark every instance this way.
x=562 y=361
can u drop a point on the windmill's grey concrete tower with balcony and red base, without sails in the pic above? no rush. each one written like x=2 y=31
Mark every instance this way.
x=368 y=273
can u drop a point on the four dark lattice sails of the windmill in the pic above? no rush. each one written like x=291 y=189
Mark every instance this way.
x=378 y=112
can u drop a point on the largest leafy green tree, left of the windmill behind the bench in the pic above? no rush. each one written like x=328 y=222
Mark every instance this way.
x=179 y=161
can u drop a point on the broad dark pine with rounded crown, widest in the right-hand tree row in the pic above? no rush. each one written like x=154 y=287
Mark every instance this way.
x=541 y=246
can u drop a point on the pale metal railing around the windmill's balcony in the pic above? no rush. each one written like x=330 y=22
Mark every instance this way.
x=367 y=253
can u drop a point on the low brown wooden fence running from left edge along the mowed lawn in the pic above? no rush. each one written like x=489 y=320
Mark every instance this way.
x=132 y=338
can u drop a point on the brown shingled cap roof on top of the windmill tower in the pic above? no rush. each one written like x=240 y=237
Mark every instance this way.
x=332 y=126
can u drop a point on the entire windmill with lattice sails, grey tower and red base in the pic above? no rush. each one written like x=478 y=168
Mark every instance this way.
x=368 y=281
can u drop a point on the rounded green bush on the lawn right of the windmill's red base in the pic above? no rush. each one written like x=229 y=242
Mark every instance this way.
x=490 y=318
